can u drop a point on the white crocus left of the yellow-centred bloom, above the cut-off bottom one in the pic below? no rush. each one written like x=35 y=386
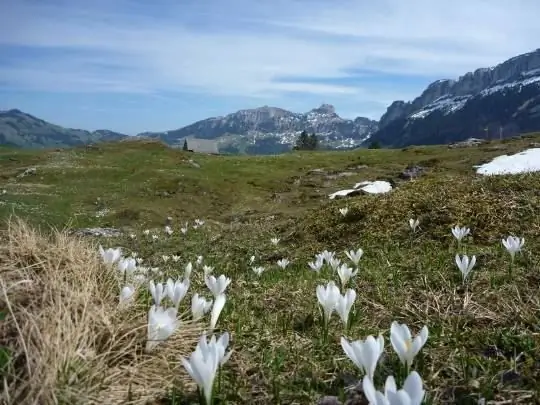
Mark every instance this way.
x=364 y=354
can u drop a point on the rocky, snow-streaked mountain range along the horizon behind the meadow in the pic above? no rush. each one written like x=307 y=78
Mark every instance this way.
x=500 y=101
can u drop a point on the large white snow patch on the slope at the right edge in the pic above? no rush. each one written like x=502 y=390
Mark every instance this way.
x=523 y=162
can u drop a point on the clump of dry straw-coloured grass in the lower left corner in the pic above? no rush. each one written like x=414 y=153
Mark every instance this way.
x=69 y=341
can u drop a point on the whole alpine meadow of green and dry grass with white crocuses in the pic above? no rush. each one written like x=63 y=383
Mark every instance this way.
x=134 y=273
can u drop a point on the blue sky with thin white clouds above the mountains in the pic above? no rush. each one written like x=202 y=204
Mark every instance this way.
x=138 y=65
